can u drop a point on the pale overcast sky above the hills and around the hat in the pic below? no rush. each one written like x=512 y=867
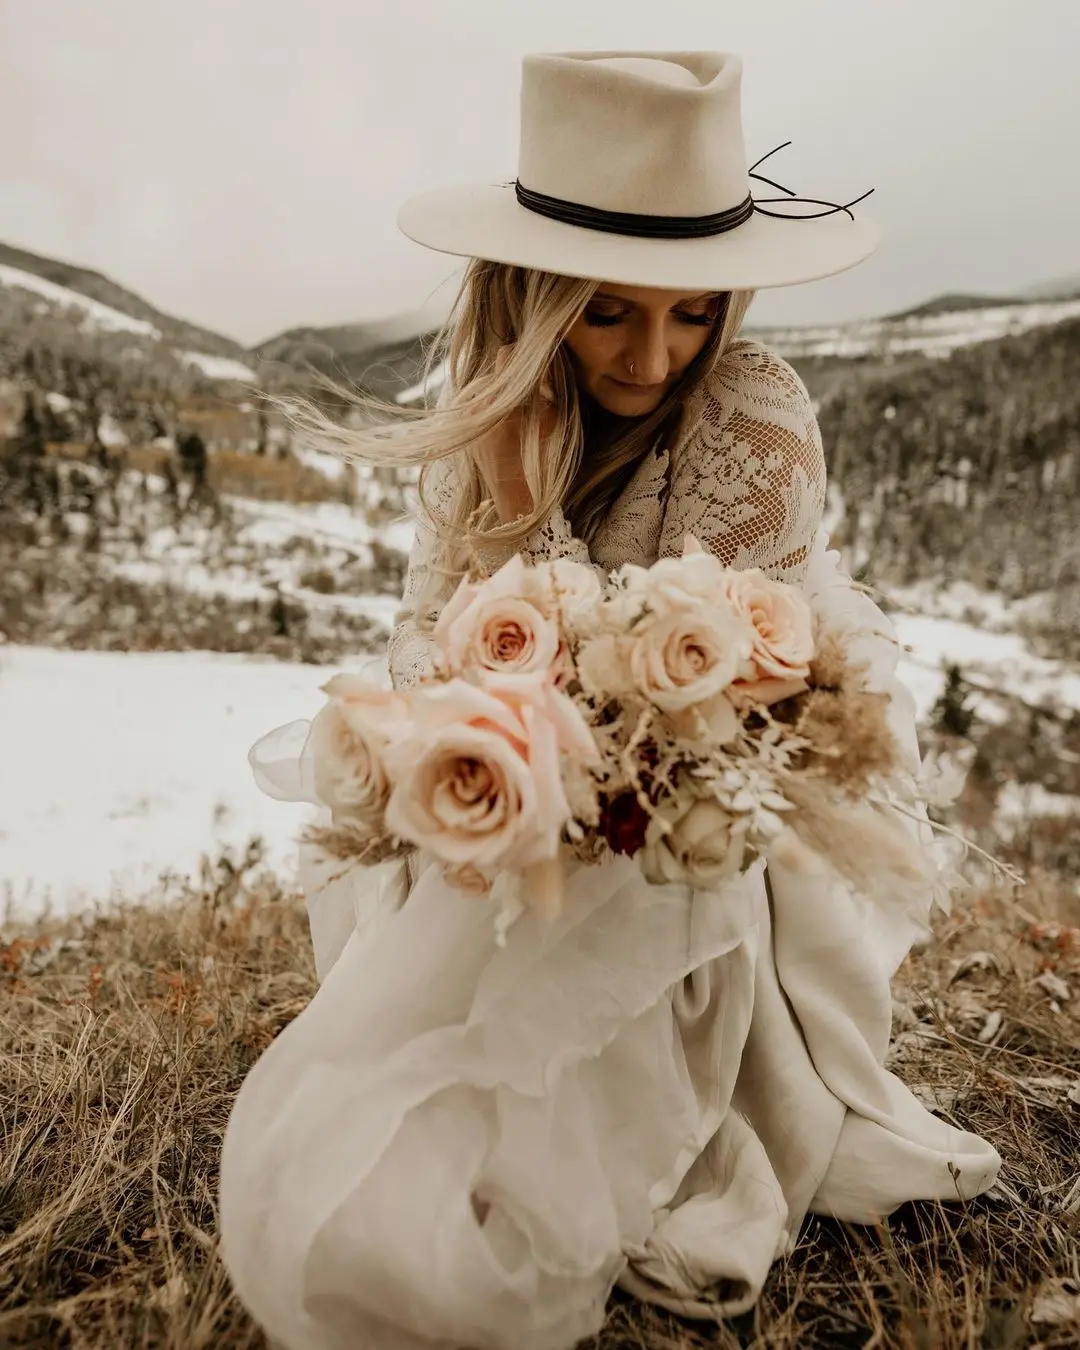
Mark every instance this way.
x=241 y=163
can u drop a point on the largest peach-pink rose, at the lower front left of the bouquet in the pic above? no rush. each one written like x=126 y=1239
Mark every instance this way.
x=479 y=782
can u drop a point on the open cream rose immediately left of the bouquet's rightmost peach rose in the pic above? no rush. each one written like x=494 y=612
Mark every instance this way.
x=685 y=658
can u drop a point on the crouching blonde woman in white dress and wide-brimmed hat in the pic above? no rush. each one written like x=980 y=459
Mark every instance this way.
x=462 y=1144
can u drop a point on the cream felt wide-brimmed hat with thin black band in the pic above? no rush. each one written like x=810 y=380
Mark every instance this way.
x=632 y=169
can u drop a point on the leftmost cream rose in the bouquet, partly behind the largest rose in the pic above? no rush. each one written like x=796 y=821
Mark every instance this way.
x=348 y=743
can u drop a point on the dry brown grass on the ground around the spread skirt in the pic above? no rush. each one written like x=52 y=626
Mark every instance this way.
x=128 y=1032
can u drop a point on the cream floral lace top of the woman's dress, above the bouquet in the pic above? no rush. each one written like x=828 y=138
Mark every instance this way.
x=747 y=479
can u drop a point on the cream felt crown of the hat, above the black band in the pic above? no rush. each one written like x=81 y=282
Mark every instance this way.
x=641 y=133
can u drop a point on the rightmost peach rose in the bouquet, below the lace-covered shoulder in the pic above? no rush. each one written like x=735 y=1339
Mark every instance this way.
x=784 y=638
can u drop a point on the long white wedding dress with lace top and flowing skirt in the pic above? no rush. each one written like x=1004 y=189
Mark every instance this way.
x=468 y=1145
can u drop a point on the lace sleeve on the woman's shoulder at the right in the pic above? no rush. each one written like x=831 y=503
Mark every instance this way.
x=749 y=481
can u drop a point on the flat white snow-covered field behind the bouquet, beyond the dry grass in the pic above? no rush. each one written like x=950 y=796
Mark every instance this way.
x=126 y=766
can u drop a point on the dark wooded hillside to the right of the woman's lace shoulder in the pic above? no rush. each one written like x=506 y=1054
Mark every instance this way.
x=966 y=466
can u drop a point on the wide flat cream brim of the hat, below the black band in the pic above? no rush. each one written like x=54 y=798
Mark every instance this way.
x=487 y=221
